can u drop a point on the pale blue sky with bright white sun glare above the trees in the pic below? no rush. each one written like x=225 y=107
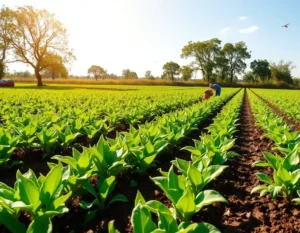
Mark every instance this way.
x=144 y=34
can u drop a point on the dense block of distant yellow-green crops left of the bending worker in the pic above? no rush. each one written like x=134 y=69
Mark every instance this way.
x=54 y=122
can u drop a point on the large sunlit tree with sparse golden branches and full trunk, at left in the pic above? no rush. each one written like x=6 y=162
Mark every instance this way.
x=36 y=34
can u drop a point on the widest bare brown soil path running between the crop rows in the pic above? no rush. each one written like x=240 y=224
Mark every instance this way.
x=247 y=212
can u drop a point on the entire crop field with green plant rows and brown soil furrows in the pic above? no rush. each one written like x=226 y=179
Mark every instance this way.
x=147 y=159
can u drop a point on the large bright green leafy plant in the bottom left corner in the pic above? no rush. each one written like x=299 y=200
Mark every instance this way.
x=41 y=197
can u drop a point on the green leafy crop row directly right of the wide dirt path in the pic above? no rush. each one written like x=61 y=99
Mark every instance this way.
x=285 y=165
